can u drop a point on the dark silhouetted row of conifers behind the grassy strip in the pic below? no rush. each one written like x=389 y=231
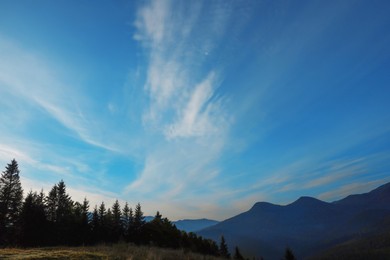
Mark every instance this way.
x=55 y=219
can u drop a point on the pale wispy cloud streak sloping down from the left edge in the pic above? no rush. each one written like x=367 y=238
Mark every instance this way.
x=30 y=79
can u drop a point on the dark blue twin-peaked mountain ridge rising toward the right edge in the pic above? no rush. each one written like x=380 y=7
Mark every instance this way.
x=307 y=225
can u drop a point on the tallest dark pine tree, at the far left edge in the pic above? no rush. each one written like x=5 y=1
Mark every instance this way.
x=11 y=200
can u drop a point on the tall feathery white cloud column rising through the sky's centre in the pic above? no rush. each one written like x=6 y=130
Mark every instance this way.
x=185 y=110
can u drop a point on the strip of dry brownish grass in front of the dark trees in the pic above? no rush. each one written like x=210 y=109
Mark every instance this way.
x=119 y=251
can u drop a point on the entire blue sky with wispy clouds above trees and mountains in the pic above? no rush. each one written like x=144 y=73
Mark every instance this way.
x=196 y=108
